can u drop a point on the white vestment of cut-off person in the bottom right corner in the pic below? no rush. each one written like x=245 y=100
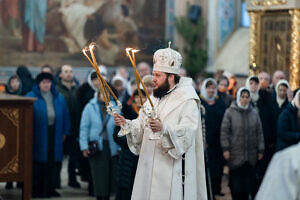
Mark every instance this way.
x=282 y=179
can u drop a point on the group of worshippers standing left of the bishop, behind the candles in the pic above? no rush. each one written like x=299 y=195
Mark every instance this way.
x=68 y=117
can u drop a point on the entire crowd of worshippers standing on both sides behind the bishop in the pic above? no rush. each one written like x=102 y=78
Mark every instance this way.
x=244 y=127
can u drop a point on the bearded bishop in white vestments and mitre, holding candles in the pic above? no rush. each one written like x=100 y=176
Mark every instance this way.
x=171 y=165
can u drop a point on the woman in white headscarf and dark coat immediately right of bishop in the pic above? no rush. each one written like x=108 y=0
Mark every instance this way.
x=214 y=111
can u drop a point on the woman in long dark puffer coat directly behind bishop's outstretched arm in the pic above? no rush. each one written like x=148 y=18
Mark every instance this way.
x=128 y=161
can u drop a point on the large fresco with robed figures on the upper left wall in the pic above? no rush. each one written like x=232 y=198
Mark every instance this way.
x=64 y=27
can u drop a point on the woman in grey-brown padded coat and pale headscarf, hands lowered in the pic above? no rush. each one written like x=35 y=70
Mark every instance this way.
x=242 y=143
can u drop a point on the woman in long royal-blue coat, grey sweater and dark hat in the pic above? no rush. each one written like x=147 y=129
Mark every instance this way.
x=51 y=124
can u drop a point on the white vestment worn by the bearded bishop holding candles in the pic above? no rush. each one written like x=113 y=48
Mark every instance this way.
x=159 y=170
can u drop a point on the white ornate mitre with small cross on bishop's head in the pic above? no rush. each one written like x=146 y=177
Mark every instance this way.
x=167 y=60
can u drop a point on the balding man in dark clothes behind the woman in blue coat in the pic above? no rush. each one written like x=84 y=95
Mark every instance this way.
x=67 y=87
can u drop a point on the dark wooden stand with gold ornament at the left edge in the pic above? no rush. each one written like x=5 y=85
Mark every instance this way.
x=16 y=140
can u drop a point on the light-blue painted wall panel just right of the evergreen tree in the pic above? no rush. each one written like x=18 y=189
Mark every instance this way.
x=226 y=16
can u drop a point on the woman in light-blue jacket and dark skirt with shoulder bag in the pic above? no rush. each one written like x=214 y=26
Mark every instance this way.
x=97 y=144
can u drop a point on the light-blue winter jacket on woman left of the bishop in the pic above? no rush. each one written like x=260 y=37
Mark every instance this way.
x=91 y=126
